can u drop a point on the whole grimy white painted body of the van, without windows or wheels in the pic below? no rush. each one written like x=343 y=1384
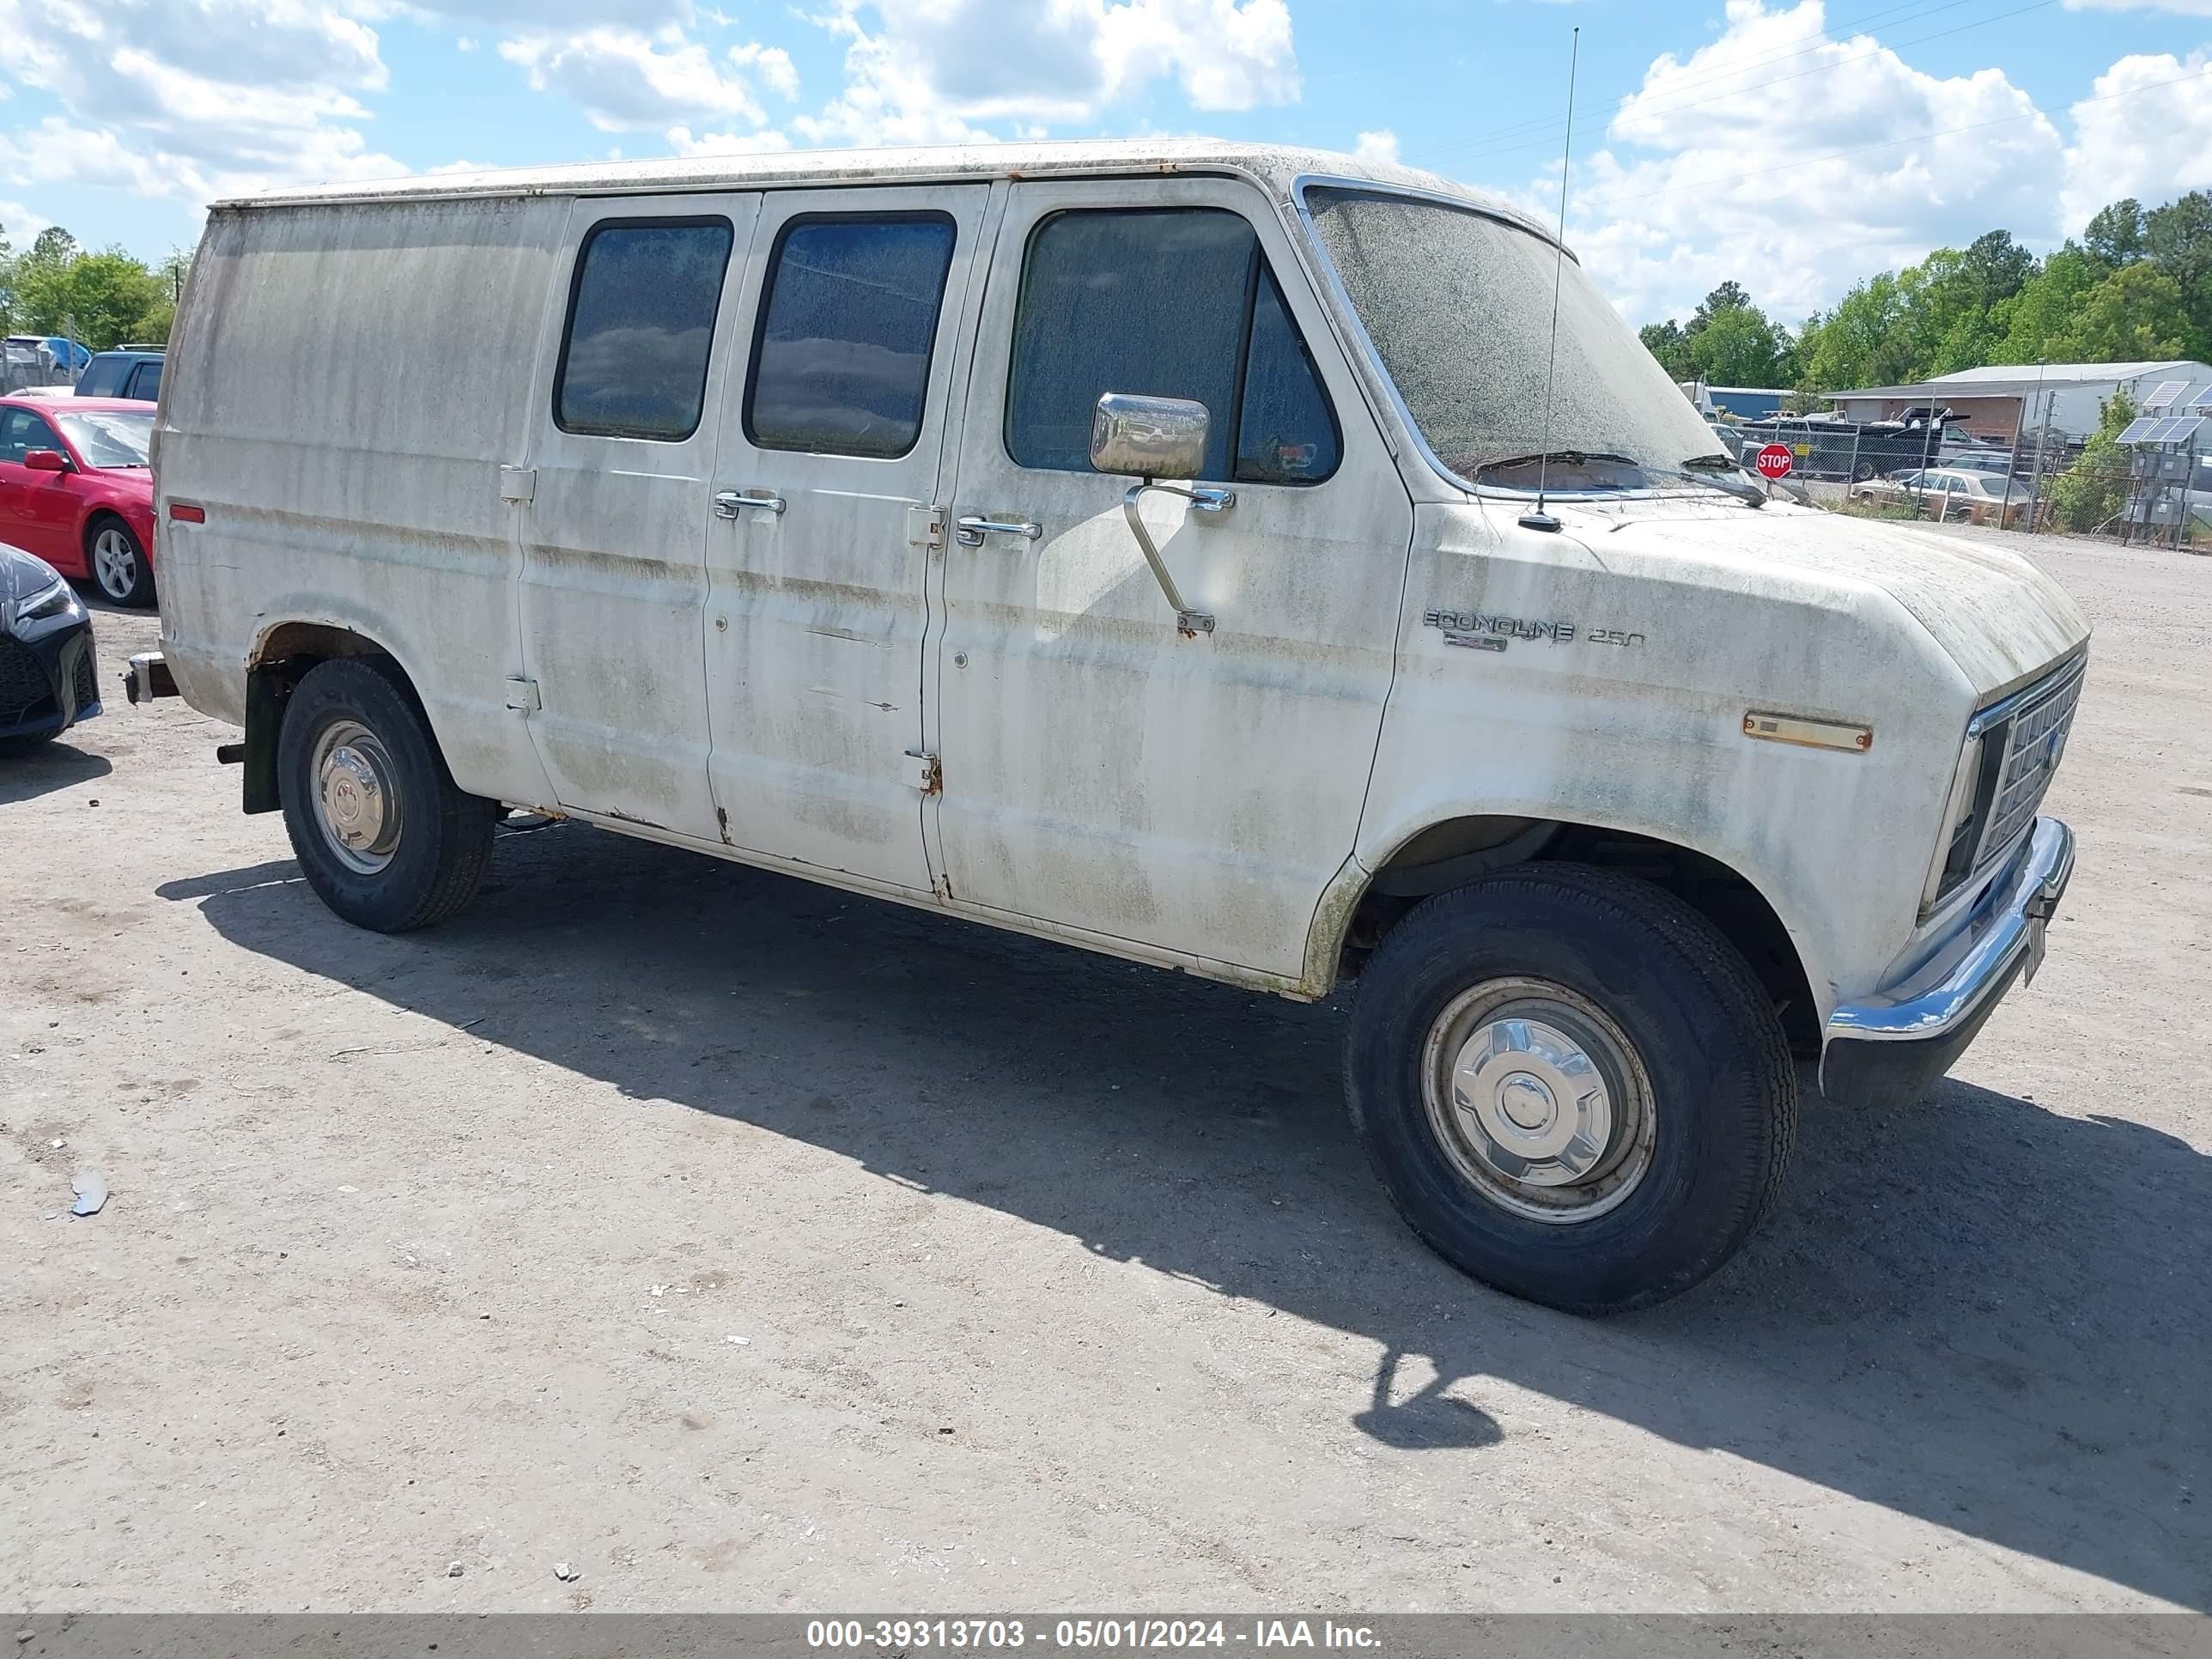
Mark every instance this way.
x=355 y=366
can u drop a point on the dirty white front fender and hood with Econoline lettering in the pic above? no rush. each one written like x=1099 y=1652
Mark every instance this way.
x=1729 y=609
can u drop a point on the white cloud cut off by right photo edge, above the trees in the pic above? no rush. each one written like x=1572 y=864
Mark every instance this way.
x=2140 y=134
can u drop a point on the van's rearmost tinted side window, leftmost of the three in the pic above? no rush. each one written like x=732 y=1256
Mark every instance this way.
x=640 y=328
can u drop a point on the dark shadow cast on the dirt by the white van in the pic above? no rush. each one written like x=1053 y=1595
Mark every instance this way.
x=1976 y=1313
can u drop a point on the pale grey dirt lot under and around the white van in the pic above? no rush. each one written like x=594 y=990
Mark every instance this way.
x=749 y=1246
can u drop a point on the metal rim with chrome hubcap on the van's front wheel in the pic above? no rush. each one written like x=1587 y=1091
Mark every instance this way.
x=1538 y=1100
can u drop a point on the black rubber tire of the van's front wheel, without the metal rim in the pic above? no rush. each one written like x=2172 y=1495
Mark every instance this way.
x=1707 y=1050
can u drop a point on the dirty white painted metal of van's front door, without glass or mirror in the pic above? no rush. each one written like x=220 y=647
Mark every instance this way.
x=1105 y=771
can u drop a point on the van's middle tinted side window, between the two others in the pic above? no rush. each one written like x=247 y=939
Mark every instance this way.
x=842 y=362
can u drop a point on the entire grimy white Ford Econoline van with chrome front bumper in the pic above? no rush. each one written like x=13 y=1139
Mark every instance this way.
x=808 y=512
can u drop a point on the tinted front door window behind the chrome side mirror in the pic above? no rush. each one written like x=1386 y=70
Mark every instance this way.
x=1169 y=304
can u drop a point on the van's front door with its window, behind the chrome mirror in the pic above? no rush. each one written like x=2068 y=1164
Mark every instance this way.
x=1191 y=795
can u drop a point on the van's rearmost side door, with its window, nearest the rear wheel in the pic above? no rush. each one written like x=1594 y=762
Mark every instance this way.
x=616 y=501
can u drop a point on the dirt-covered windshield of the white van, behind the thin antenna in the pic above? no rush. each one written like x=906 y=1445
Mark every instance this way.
x=1459 y=309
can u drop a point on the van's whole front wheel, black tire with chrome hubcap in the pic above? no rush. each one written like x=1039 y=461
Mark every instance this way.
x=1572 y=1087
